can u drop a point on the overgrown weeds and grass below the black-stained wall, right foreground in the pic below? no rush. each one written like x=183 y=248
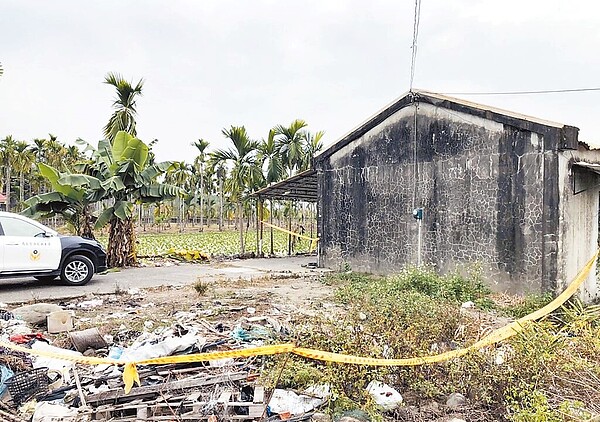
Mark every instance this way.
x=548 y=372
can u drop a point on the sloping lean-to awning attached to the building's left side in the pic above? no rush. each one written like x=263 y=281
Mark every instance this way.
x=301 y=187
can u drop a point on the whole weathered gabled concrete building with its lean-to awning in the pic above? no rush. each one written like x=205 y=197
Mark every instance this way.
x=516 y=195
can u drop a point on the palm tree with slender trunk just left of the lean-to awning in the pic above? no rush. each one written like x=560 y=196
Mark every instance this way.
x=245 y=173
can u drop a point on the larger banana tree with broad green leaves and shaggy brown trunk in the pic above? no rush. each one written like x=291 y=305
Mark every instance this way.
x=128 y=178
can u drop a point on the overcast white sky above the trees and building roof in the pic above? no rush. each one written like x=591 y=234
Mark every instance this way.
x=212 y=64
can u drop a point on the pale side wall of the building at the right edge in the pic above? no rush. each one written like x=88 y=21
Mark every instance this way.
x=578 y=213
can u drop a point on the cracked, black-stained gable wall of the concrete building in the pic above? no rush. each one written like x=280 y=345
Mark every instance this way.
x=487 y=189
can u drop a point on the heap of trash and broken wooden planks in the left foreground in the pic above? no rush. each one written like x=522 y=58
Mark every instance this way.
x=46 y=388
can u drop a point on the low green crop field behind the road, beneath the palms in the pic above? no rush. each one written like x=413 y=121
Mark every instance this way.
x=212 y=243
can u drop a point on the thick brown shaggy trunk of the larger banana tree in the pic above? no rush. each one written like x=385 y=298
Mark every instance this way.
x=121 y=243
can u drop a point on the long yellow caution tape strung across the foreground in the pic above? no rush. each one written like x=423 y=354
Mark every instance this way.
x=131 y=376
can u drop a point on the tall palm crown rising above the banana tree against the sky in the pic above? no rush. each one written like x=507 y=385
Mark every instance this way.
x=124 y=116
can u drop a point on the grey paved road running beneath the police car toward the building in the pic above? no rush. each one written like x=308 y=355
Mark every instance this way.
x=27 y=289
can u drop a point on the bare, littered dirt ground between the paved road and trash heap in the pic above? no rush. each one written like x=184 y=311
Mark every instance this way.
x=212 y=307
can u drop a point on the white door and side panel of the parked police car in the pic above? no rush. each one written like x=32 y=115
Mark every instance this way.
x=26 y=246
